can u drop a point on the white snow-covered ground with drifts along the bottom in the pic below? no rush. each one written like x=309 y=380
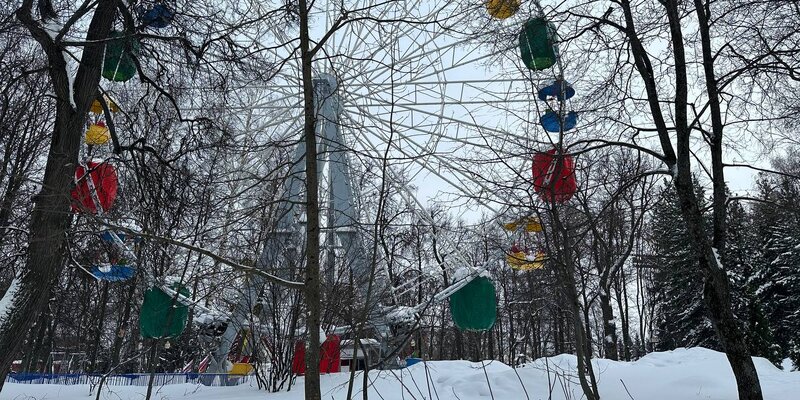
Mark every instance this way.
x=681 y=374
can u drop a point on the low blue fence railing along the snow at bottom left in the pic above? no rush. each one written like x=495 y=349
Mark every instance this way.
x=129 y=379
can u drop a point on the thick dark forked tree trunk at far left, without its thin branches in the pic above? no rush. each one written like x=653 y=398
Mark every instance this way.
x=51 y=217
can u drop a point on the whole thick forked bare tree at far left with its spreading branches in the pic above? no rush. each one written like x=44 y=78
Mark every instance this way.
x=74 y=91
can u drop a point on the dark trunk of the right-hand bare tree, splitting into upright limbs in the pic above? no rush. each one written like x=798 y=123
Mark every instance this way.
x=716 y=291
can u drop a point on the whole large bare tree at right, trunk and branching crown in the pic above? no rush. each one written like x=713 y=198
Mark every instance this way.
x=709 y=34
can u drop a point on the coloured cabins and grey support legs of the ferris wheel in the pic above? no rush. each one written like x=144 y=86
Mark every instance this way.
x=471 y=294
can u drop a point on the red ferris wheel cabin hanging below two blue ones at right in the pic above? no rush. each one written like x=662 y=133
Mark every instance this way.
x=554 y=176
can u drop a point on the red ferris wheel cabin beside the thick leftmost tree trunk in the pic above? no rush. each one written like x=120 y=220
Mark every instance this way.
x=104 y=179
